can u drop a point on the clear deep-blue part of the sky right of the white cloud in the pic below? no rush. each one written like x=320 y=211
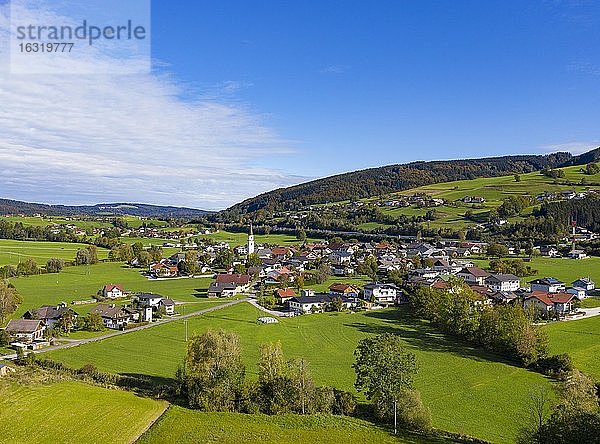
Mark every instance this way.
x=352 y=84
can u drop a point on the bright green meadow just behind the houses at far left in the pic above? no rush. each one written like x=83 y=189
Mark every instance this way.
x=81 y=283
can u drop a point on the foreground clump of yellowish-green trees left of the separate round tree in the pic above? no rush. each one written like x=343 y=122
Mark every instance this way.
x=212 y=378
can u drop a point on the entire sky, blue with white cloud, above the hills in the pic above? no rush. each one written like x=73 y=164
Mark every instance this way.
x=247 y=96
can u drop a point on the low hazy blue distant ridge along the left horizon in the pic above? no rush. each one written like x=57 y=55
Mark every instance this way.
x=109 y=209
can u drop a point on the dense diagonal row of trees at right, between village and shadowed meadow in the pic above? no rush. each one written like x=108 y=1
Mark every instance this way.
x=503 y=329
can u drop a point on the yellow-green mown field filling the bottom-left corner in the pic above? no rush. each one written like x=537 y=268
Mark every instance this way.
x=73 y=412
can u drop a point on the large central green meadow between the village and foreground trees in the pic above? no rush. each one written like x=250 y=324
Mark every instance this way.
x=464 y=387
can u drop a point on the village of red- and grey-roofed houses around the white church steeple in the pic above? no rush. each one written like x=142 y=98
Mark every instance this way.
x=277 y=278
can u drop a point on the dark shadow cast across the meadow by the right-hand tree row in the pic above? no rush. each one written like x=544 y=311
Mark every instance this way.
x=421 y=335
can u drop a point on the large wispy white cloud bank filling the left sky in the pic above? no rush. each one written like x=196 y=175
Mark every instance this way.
x=87 y=139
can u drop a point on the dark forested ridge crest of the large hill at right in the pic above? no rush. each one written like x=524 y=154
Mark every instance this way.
x=389 y=179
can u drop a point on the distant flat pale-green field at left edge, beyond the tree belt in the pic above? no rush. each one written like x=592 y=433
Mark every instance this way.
x=13 y=251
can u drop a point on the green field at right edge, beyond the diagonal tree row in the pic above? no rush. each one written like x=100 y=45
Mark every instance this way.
x=581 y=339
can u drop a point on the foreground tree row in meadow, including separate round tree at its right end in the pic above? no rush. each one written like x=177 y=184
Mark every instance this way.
x=212 y=378
